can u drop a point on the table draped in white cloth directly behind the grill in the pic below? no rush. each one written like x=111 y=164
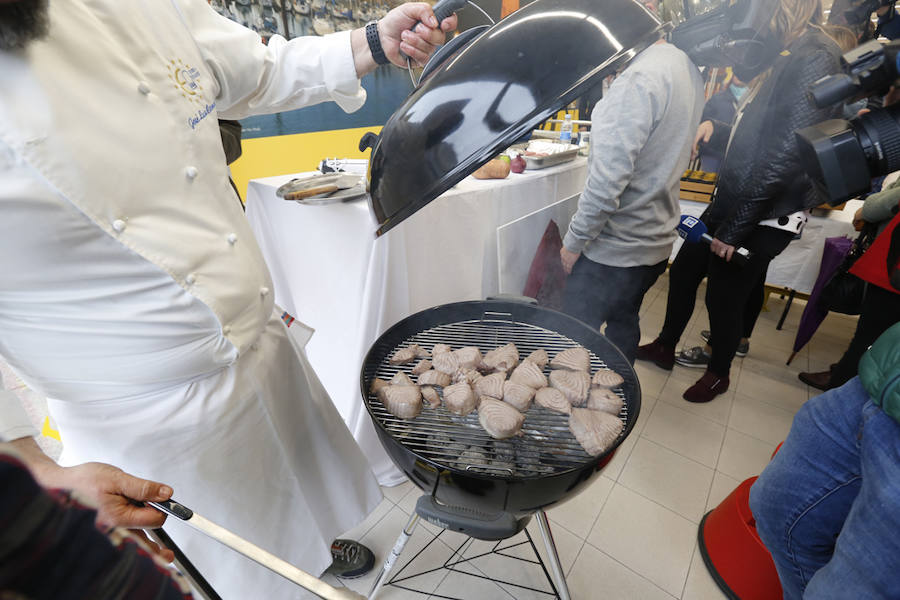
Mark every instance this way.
x=331 y=272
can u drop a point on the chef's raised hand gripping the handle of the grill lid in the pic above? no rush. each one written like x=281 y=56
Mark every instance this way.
x=419 y=43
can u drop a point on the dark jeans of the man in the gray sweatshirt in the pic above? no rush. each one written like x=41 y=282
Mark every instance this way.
x=598 y=294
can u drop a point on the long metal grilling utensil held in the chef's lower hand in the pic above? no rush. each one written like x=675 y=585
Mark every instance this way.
x=255 y=553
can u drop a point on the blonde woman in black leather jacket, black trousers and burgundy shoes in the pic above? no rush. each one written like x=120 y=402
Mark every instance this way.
x=761 y=183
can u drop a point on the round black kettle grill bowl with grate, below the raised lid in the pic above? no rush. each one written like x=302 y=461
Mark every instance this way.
x=525 y=474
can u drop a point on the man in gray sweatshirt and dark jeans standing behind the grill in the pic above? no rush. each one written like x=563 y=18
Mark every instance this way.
x=620 y=238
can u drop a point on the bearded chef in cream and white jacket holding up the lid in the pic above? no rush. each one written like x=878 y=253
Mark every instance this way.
x=132 y=292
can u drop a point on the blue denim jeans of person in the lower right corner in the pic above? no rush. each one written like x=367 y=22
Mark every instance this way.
x=828 y=505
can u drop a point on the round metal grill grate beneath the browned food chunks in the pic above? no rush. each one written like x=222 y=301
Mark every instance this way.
x=460 y=443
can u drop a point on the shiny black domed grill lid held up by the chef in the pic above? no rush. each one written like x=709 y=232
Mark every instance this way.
x=487 y=94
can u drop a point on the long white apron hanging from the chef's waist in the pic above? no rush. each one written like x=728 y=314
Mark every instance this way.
x=285 y=475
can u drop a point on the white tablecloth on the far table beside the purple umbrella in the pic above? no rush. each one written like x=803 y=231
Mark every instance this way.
x=798 y=266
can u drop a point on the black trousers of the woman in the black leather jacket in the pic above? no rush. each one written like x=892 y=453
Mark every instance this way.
x=729 y=290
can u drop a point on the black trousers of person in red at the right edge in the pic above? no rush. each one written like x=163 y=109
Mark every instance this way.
x=880 y=310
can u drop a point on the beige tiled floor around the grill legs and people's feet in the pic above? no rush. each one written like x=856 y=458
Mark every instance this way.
x=632 y=533
